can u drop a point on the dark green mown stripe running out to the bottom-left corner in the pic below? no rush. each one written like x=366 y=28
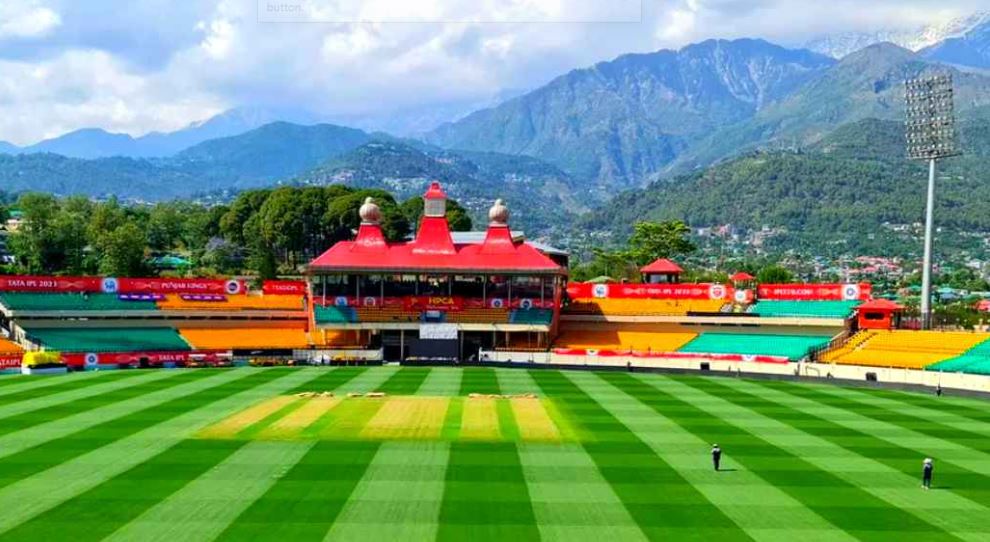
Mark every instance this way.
x=96 y=513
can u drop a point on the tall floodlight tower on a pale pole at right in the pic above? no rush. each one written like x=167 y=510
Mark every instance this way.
x=930 y=126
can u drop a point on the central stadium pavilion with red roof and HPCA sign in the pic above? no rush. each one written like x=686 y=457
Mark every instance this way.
x=436 y=296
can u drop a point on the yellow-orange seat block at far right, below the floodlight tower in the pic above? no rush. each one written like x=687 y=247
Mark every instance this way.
x=903 y=348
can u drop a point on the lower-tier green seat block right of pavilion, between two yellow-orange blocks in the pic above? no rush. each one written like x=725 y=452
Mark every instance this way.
x=793 y=347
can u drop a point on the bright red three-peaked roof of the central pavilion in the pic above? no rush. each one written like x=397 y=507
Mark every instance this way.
x=433 y=250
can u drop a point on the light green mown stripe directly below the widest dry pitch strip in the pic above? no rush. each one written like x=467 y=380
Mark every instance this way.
x=399 y=496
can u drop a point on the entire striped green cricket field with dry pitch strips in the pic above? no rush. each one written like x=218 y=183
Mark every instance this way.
x=237 y=455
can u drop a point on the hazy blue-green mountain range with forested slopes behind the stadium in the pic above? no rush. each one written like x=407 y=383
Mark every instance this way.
x=718 y=118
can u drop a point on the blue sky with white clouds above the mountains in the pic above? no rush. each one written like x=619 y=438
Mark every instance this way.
x=136 y=66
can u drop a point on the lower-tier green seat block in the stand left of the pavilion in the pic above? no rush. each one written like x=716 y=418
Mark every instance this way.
x=108 y=340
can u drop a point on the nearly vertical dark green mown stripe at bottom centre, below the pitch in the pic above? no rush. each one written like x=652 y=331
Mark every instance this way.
x=485 y=495
